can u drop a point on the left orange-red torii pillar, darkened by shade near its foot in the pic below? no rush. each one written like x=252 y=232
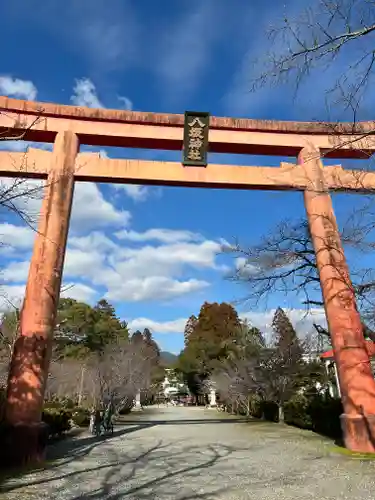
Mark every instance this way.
x=26 y=434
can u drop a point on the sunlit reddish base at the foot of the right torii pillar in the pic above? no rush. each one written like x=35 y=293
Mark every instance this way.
x=359 y=432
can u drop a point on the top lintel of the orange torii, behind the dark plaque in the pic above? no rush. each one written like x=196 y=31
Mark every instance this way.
x=106 y=127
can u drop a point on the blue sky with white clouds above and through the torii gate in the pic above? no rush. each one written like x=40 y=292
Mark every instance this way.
x=153 y=252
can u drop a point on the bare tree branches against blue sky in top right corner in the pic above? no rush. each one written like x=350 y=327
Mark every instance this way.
x=324 y=32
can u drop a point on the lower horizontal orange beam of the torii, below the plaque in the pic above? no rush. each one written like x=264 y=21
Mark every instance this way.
x=91 y=167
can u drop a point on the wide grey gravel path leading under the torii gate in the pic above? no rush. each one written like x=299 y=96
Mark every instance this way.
x=191 y=453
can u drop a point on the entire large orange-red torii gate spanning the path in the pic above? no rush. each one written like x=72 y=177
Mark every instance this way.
x=69 y=126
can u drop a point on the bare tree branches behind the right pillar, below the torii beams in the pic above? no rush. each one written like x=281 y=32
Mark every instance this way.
x=284 y=262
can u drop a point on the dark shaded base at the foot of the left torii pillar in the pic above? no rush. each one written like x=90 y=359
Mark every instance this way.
x=23 y=444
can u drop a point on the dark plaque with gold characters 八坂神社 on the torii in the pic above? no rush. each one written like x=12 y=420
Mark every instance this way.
x=196 y=138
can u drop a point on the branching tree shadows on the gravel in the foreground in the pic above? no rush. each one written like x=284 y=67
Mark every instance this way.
x=156 y=472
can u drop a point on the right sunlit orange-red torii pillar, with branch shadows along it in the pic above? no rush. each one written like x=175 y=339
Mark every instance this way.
x=356 y=379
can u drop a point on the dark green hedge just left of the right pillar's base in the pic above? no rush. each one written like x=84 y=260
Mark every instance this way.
x=319 y=413
